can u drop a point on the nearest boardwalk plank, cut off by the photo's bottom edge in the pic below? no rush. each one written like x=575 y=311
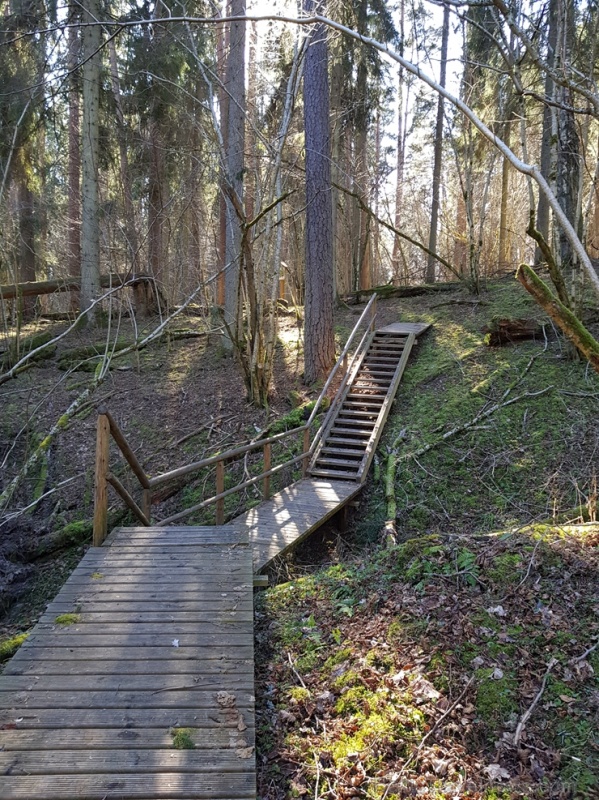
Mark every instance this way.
x=128 y=785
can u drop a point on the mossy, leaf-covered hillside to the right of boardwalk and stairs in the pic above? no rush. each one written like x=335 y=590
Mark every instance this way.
x=459 y=661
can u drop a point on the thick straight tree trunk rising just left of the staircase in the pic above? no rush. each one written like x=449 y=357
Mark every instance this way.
x=319 y=342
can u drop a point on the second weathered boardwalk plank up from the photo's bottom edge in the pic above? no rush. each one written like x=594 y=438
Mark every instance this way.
x=134 y=761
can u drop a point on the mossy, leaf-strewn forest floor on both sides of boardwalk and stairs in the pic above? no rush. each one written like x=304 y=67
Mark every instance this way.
x=384 y=669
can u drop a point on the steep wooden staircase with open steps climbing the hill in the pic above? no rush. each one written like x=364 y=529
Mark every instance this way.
x=351 y=436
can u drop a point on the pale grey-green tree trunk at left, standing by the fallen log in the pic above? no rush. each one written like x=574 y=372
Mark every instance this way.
x=90 y=221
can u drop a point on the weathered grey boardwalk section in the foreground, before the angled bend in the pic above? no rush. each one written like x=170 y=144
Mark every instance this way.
x=159 y=652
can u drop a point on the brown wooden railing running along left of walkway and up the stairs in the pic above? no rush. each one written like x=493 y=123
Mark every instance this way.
x=108 y=428
